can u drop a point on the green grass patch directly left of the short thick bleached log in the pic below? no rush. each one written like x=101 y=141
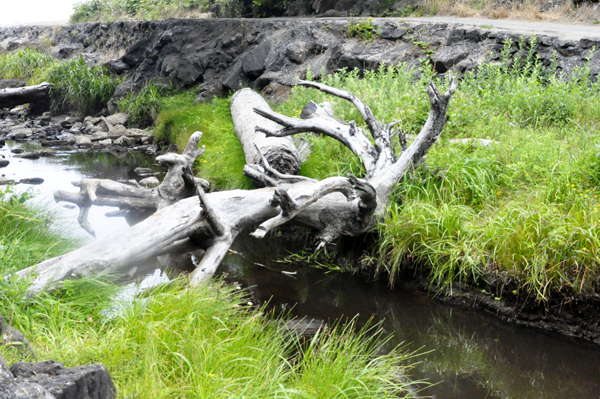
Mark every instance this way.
x=223 y=161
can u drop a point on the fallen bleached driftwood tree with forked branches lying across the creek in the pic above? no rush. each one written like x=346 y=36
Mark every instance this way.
x=331 y=207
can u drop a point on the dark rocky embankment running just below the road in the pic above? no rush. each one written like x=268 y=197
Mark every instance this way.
x=222 y=55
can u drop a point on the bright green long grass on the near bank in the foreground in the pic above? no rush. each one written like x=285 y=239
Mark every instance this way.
x=180 y=342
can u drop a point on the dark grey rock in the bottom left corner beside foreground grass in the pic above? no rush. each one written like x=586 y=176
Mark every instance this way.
x=52 y=380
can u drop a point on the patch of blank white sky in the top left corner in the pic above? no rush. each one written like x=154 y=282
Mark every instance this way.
x=30 y=11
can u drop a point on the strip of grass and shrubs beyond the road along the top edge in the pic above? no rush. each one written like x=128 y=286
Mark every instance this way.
x=532 y=10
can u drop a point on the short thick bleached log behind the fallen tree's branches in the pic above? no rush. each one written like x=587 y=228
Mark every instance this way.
x=280 y=152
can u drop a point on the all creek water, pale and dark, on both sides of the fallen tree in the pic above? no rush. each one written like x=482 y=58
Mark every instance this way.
x=466 y=354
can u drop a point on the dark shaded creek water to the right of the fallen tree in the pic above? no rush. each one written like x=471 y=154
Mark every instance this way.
x=468 y=354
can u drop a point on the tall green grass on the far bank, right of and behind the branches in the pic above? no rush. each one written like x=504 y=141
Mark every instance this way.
x=522 y=210
